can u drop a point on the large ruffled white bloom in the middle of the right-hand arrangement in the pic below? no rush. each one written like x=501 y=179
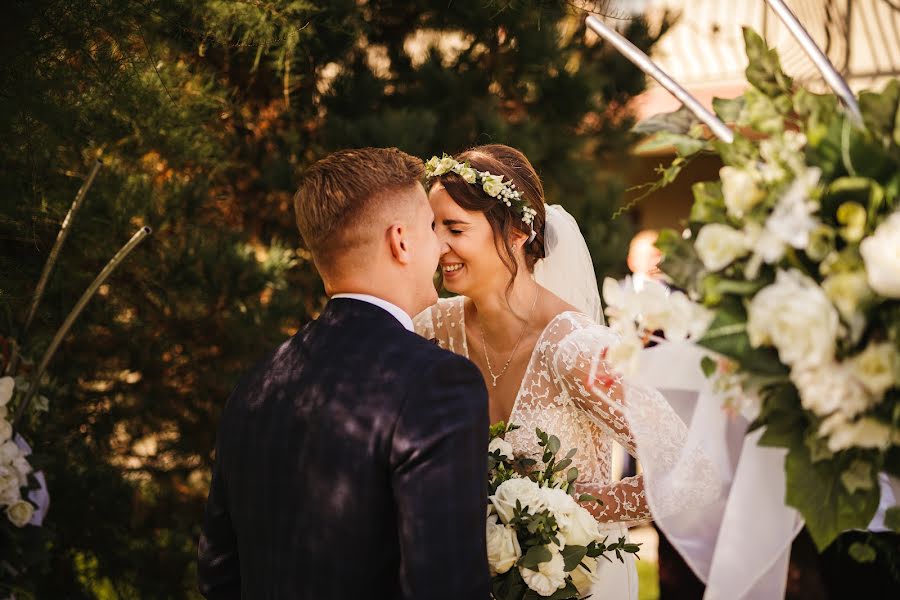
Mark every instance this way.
x=794 y=315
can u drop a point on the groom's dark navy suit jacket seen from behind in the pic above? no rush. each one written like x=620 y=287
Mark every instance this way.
x=350 y=465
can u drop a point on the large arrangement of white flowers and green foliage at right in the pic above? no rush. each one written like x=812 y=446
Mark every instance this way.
x=790 y=271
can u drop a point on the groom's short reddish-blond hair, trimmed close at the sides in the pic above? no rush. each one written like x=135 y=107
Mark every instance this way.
x=340 y=194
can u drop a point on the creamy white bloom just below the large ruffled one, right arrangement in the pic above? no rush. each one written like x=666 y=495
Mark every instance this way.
x=830 y=387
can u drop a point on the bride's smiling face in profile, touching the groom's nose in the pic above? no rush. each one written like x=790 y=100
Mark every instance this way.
x=470 y=262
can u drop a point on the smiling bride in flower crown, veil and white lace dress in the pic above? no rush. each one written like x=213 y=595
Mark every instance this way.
x=527 y=313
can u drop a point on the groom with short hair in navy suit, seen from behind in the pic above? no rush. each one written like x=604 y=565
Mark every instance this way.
x=351 y=462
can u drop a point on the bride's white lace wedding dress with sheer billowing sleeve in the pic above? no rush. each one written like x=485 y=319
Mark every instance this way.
x=556 y=396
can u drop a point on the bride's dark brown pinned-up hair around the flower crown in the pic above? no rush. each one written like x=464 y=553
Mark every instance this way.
x=499 y=159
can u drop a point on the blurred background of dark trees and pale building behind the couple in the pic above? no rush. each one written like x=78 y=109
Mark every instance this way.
x=204 y=114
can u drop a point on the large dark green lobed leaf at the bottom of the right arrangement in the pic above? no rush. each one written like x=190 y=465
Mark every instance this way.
x=815 y=489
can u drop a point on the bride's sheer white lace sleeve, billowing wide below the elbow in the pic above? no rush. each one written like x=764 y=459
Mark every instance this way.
x=677 y=475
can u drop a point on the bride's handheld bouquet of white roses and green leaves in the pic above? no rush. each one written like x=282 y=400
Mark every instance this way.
x=541 y=541
